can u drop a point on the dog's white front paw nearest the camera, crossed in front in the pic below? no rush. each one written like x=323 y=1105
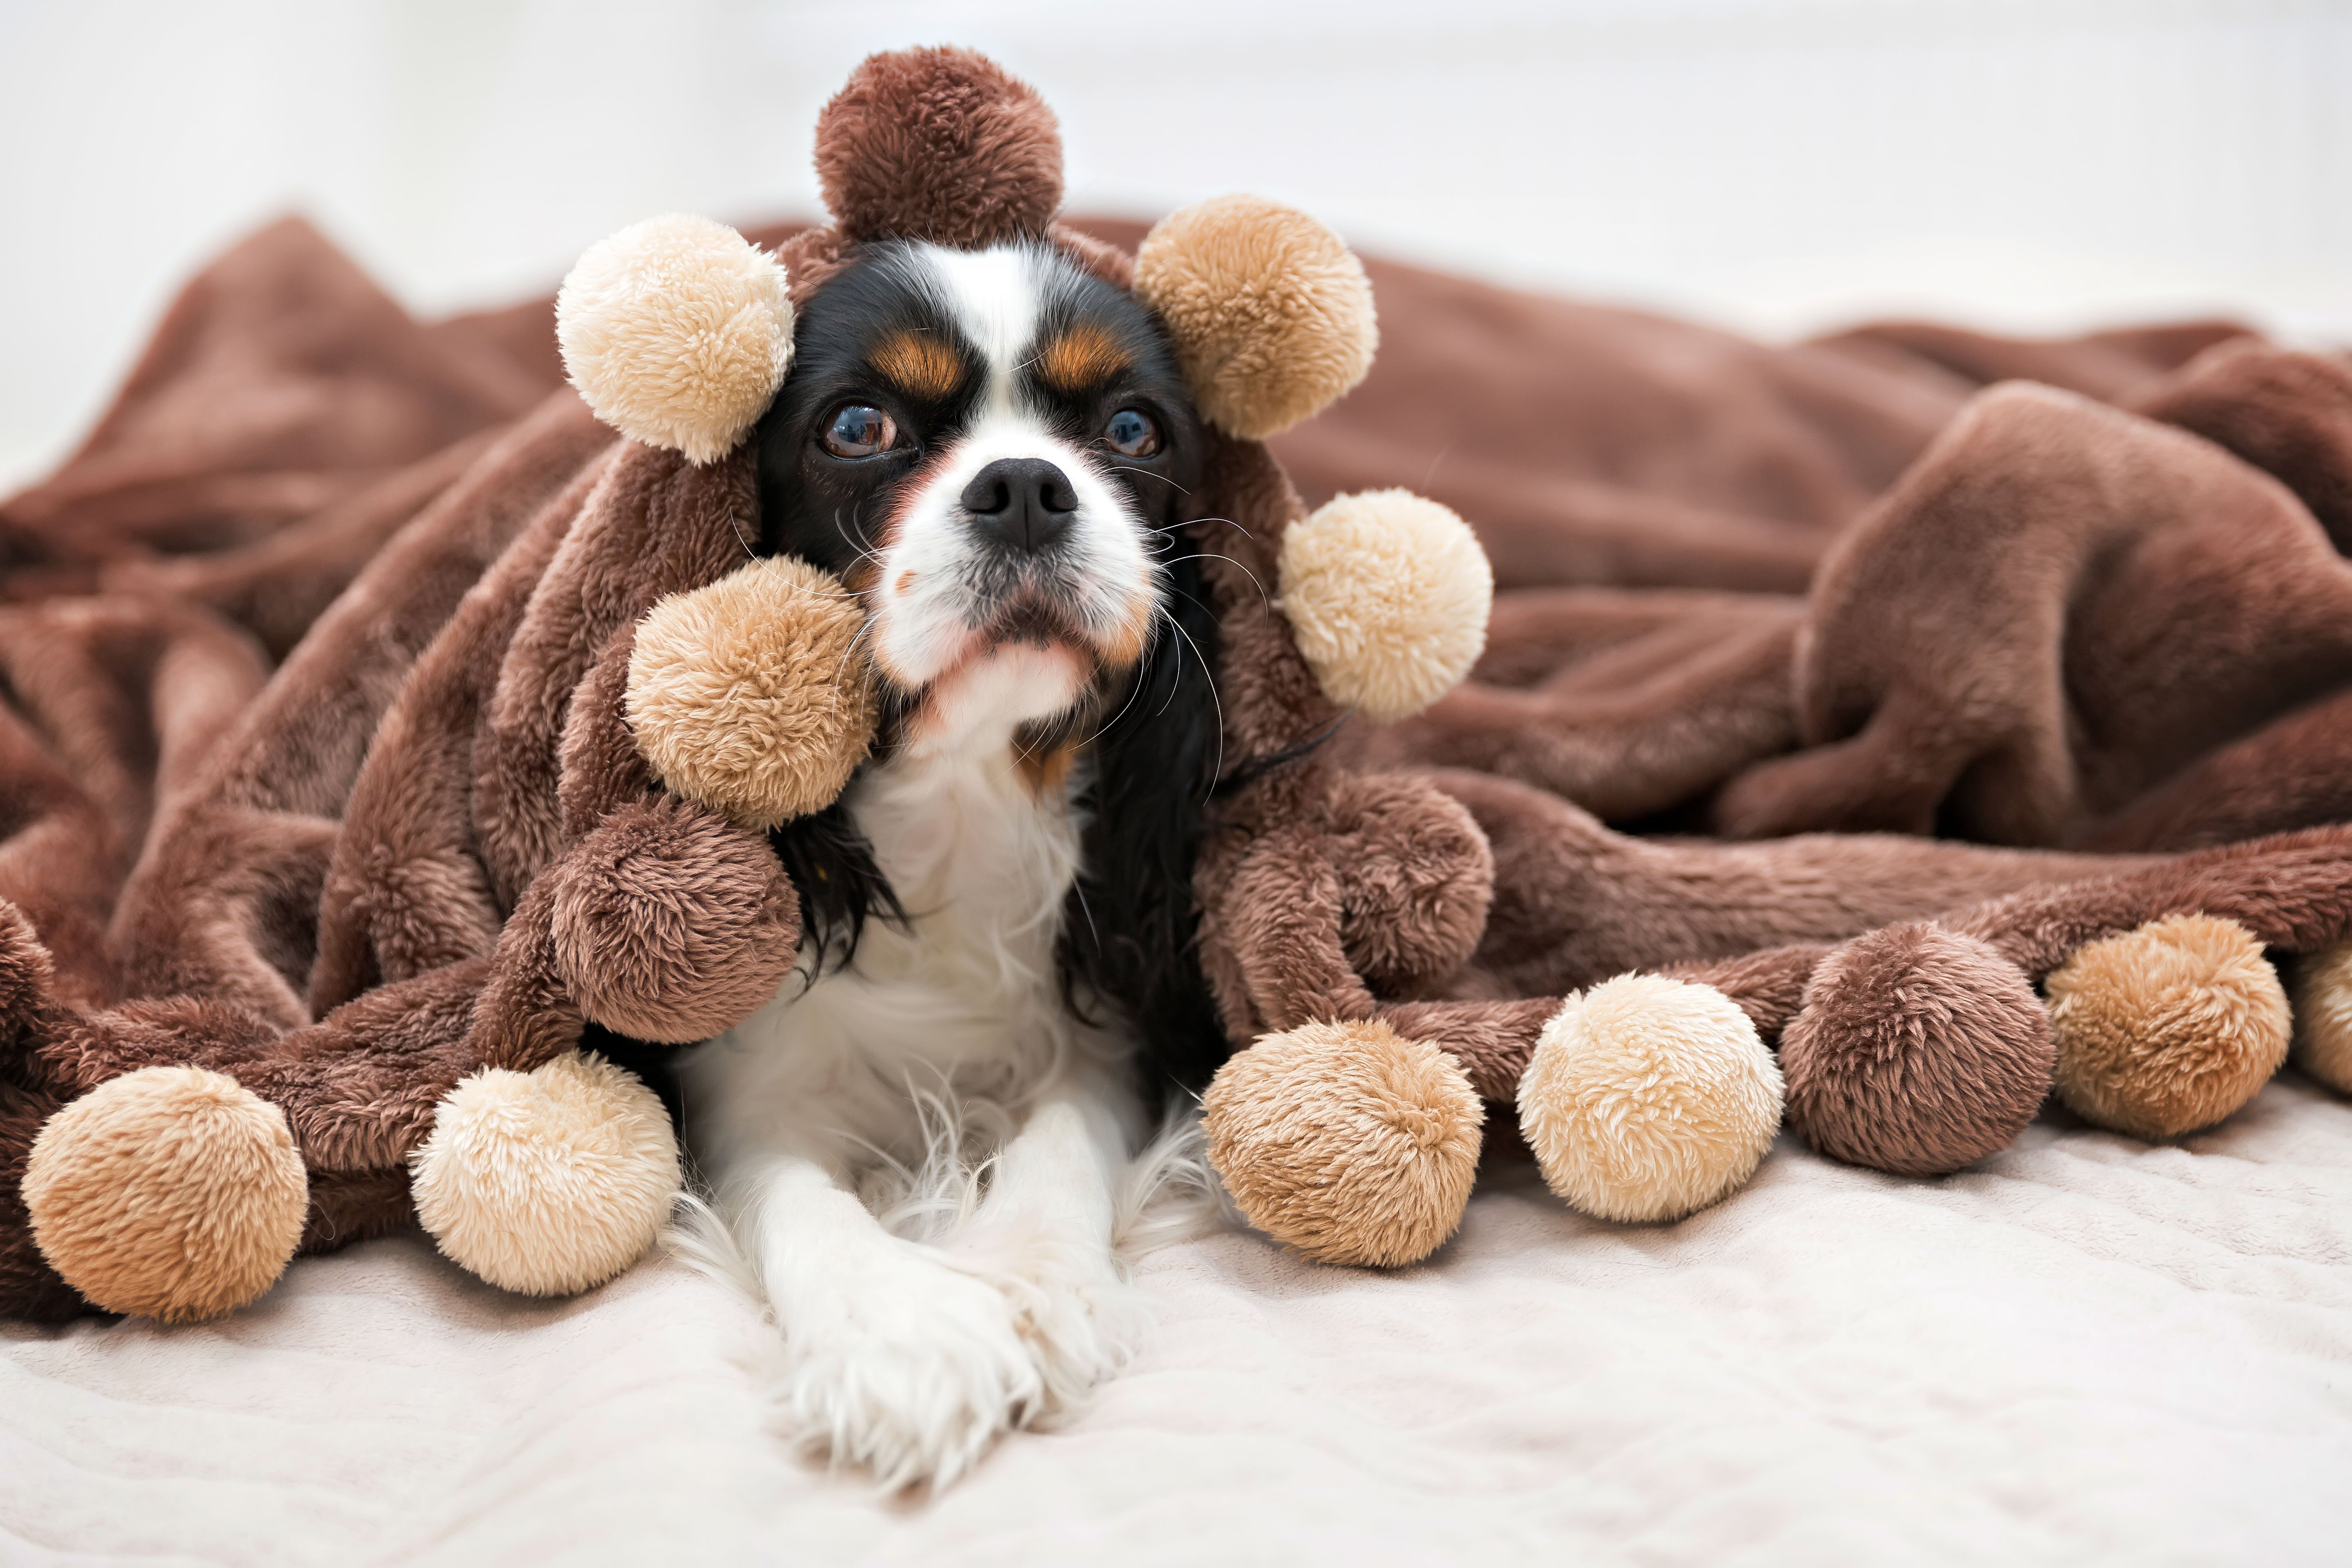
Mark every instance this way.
x=911 y=1381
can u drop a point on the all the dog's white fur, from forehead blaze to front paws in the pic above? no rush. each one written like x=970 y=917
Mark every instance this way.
x=987 y=1294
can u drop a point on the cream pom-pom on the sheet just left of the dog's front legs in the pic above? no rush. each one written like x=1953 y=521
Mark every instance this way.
x=547 y=1181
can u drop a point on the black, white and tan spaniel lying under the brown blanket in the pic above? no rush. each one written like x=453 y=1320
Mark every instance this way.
x=996 y=455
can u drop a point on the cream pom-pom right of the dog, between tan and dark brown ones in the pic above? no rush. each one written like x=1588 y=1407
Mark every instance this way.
x=1650 y=1099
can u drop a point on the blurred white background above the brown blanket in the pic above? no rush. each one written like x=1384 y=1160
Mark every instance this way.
x=1777 y=166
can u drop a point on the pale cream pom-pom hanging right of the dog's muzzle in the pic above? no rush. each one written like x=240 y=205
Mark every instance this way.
x=1389 y=598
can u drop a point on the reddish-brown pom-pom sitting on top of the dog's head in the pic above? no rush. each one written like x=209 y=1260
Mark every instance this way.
x=940 y=145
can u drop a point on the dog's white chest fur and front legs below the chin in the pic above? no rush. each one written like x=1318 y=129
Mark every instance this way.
x=900 y=1355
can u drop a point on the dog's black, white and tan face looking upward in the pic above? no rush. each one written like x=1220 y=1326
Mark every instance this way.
x=994 y=450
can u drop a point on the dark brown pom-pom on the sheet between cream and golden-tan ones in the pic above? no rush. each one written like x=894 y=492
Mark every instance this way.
x=1918 y=1052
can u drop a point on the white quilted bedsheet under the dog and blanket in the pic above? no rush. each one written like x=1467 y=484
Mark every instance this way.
x=2087 y=1351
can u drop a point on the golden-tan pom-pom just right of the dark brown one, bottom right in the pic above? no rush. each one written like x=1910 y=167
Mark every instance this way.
x=2167 y=1028
